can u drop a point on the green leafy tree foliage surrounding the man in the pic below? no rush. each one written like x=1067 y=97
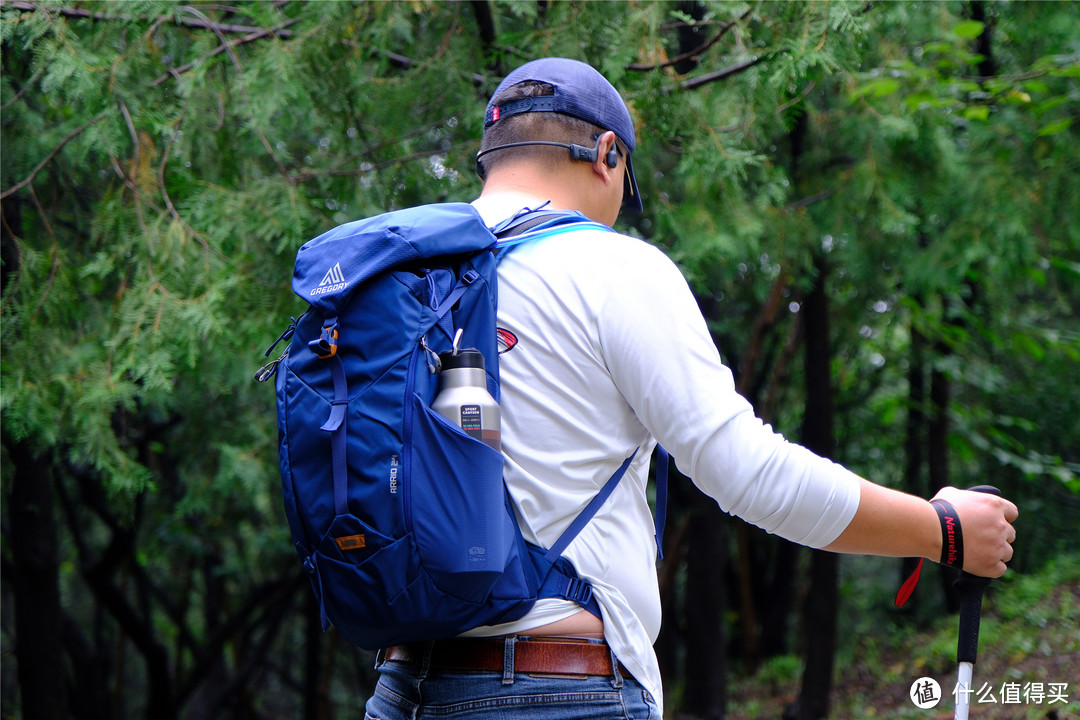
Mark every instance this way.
x=163 y=162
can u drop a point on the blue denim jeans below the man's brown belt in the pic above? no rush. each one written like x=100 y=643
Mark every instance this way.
x=414 y=692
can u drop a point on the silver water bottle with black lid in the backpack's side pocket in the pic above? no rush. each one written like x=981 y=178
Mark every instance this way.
x=464 y=399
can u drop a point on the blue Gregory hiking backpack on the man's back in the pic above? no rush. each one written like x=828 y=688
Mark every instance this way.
x=402 y=521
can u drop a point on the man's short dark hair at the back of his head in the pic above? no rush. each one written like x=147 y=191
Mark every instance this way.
x=525 y=127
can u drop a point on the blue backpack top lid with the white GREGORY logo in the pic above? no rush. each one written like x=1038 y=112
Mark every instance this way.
x=333 y=265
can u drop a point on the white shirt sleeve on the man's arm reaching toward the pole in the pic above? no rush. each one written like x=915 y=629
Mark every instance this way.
x=666 y=364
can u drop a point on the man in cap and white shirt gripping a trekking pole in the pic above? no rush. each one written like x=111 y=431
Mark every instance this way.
x=607 y=352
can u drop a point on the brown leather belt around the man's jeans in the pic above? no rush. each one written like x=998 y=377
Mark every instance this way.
x=536 y=656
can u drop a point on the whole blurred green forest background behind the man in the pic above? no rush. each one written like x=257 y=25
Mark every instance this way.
x=876 y=205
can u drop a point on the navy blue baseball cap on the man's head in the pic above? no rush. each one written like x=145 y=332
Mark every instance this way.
x=580 y=91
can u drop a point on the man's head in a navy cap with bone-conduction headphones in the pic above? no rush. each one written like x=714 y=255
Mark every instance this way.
x=549 y=107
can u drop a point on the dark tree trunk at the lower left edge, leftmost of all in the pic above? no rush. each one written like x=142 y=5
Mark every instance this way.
x=39 y=643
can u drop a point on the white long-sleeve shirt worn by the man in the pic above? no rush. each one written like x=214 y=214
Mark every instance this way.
x=613 y=355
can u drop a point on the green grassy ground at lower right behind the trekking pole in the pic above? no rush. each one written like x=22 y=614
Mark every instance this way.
x=1030 y=635
